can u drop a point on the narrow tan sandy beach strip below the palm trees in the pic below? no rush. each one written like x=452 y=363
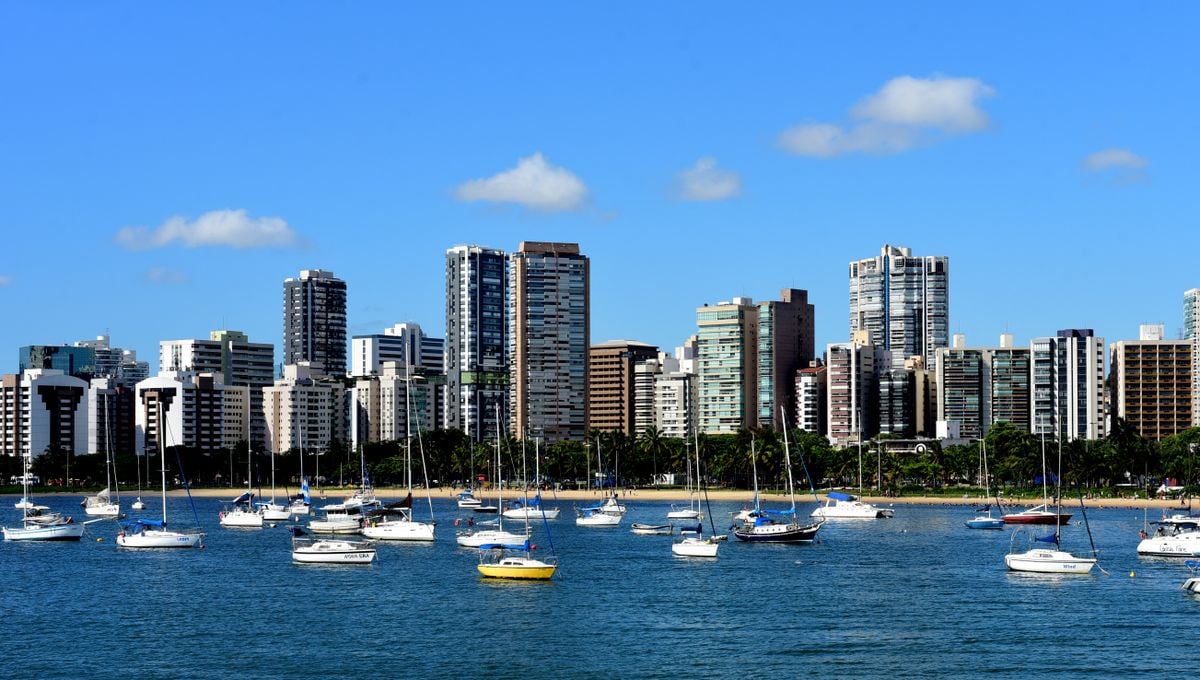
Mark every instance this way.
x=321 y=497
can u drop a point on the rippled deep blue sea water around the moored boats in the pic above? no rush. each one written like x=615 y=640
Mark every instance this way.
x=917 y=595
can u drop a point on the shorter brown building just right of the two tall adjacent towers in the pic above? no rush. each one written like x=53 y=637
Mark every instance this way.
x=611 y=382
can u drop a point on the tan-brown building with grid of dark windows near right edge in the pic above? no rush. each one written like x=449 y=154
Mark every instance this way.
x=1153 y=382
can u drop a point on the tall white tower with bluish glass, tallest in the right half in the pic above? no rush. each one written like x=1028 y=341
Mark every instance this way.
x=903 y=303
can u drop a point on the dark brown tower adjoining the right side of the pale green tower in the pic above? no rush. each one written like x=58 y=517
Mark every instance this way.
x=787 y=340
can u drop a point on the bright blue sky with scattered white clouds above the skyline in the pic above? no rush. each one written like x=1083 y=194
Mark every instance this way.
x=164 y=169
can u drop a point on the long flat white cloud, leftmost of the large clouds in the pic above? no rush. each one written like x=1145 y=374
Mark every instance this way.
x=231 y=228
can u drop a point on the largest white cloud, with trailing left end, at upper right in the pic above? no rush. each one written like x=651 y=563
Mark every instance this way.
x=905 y=113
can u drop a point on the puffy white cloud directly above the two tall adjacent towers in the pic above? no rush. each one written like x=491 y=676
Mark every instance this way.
x=533 y=184
